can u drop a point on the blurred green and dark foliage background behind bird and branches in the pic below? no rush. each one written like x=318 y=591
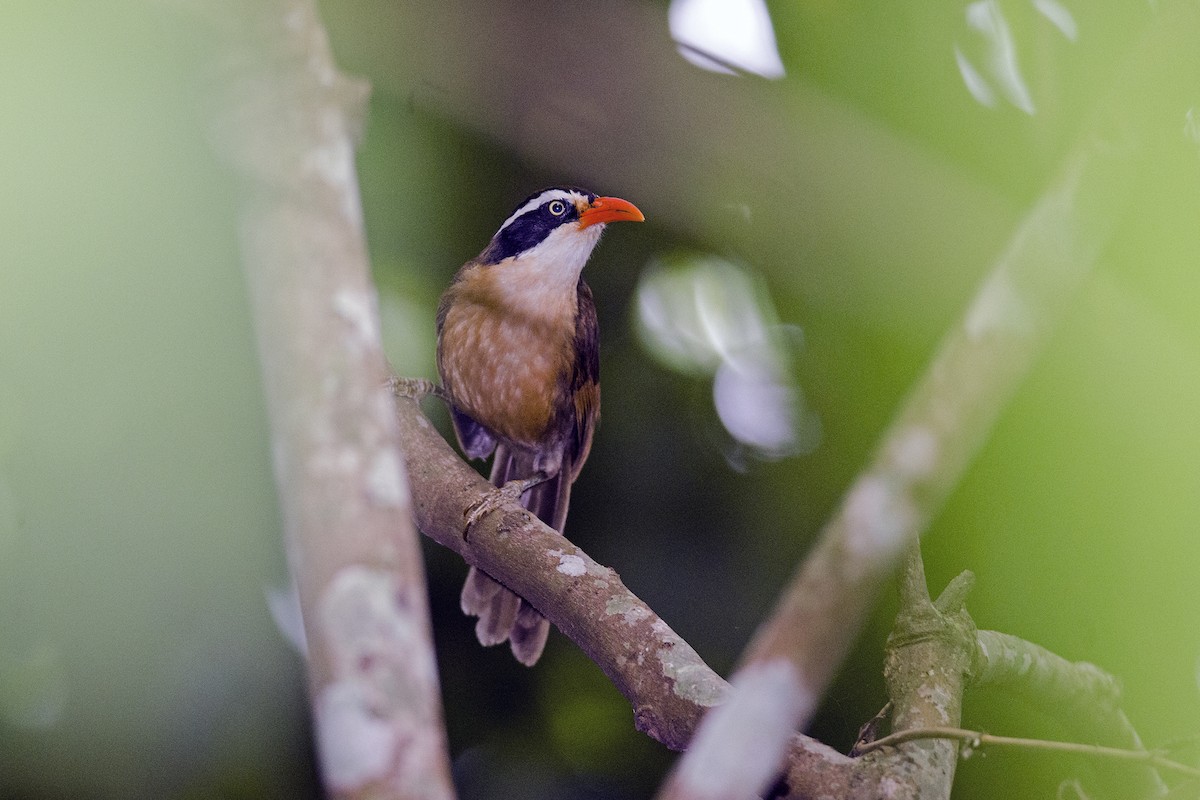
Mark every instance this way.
x=139 y=528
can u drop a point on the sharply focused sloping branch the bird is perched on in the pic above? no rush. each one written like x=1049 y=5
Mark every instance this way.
x=668 y=684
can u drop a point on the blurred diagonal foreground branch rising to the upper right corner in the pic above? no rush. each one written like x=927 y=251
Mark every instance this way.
x=955 y=406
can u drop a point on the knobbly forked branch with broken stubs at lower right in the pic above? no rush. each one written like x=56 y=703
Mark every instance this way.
x=935 y=651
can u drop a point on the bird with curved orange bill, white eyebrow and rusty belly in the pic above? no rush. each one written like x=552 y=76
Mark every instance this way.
x=519 y=362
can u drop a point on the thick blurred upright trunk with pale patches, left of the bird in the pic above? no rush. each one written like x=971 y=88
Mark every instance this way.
x=284 y=121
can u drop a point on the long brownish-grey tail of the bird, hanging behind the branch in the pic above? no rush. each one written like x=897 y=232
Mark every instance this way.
x=502 y=615
